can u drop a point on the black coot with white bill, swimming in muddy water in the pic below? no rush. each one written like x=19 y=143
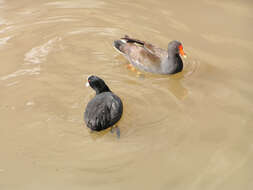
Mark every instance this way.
x=105 y=109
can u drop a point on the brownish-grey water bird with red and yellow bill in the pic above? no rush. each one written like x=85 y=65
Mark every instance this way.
x=150 y=58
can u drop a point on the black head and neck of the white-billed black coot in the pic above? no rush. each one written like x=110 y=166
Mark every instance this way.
x=97 y=84
